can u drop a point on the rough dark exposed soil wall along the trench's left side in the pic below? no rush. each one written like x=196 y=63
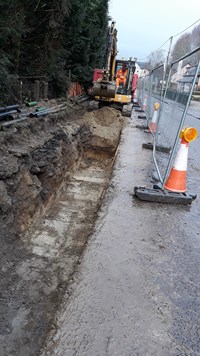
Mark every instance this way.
x=35 y=158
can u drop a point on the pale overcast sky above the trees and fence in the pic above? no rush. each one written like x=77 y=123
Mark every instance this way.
x=144 y=25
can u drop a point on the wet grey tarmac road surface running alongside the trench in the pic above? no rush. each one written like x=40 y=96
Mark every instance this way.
x=137 y=289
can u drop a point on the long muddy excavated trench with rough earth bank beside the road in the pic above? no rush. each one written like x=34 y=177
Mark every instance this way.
x=53 y=176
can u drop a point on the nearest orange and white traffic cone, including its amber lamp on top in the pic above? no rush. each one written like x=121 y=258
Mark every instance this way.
x=176 y=181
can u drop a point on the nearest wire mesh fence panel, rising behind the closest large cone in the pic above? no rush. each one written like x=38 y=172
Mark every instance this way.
x=171 y=88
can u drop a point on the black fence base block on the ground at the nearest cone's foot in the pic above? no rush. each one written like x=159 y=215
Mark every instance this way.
x=162 y=196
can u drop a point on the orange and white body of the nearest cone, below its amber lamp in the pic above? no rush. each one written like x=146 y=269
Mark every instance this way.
x=176 y=181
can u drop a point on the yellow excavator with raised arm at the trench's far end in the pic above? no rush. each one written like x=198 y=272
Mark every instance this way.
x=105 y=90
